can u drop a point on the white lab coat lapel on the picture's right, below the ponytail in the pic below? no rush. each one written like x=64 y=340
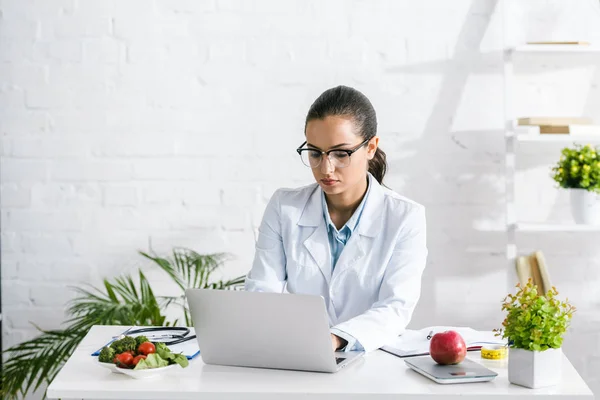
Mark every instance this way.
x=369 y=226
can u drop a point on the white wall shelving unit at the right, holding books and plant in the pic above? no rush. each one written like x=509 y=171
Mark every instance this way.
x=514 y=135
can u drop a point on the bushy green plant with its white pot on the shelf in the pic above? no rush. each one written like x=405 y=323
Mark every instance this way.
x=579 y=171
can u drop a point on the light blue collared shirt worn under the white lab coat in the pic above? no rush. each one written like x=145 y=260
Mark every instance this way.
x=337 y=242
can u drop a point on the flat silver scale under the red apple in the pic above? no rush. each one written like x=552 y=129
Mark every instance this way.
x=465 y=372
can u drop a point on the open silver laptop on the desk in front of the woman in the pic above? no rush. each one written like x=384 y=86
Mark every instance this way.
x=264 y=330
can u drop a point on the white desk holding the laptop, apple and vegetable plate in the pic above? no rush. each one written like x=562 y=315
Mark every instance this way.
x=378 y=375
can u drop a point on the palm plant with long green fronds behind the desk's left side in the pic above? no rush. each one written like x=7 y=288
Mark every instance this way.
x=121 y=301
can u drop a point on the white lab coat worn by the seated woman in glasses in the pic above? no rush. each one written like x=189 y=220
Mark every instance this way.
x=377 y=280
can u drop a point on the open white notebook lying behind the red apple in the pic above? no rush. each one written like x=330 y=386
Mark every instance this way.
x=415 y=342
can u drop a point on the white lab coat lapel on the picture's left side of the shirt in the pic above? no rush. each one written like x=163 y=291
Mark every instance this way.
x=317 y=243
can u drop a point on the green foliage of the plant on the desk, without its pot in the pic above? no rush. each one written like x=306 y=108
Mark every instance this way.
x=535 y=321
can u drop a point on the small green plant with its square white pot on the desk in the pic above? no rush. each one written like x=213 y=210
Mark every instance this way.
x=534 y=326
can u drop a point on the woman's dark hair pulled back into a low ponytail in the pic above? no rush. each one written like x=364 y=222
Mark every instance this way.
x=347 y=101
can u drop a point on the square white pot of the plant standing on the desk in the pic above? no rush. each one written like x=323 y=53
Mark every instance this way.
x=534 y=369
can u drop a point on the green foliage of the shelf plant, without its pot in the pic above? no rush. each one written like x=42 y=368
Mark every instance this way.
x=578 y=168
